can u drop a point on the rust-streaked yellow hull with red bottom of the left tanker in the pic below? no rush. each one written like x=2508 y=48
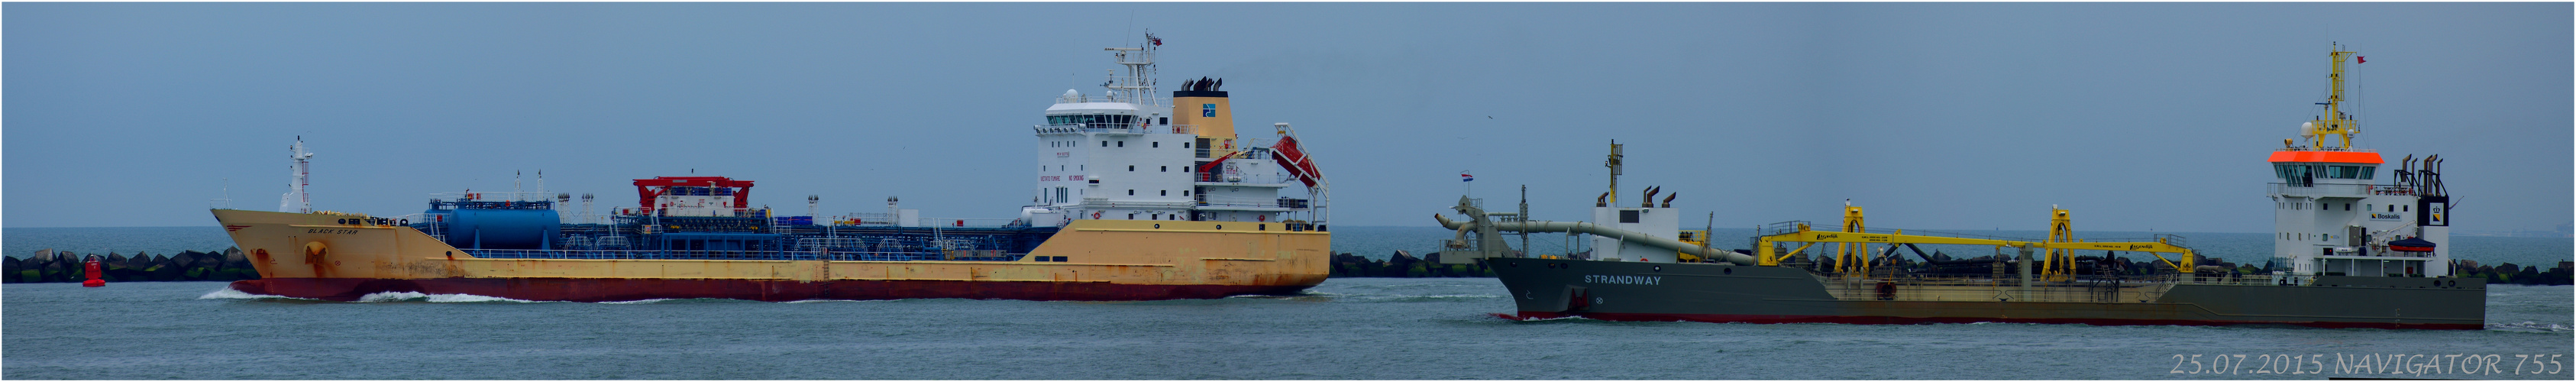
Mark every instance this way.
x=1091 y=259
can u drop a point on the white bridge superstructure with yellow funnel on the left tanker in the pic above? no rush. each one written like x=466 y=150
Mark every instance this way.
x=1135 y=156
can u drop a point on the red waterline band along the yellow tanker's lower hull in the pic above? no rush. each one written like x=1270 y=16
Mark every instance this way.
x=761 y=290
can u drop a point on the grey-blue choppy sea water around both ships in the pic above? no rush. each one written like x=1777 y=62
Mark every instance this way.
x=1346 y=329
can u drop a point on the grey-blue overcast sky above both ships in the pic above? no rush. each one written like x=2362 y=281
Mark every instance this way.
x=1933 y=115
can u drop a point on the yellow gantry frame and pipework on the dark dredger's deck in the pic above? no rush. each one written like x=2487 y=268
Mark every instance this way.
x=1766 y=254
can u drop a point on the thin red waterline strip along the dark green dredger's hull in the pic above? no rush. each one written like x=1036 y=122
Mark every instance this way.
x=1918 y=321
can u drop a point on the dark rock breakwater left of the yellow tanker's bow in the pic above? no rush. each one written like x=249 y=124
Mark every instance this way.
x=143 y=267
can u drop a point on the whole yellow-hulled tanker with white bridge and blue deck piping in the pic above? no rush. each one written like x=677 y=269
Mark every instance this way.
x=1207 y=221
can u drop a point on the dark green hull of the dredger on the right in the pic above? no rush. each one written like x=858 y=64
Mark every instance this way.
x=1722 y=293
